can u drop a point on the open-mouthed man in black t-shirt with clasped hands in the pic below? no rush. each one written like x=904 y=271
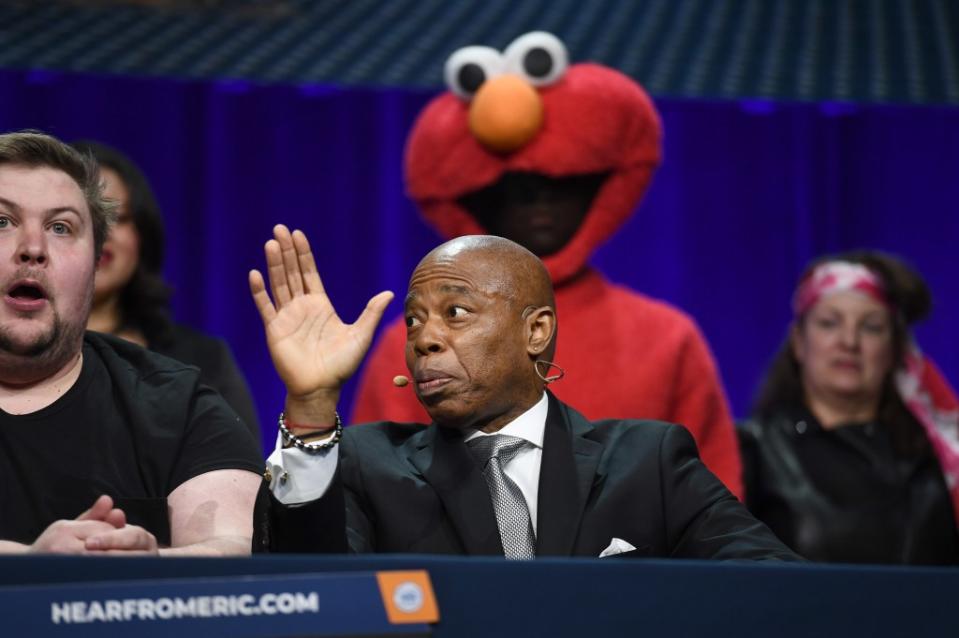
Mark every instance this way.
x=105 y=447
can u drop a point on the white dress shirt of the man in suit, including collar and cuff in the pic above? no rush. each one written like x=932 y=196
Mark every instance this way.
x=299 y=477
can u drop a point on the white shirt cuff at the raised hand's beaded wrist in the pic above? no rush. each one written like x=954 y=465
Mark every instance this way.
x=298 y=477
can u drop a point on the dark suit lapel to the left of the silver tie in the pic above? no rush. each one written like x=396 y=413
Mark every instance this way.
x=448 y=467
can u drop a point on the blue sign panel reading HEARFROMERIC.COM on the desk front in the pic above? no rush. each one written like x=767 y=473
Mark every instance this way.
x=328 y=604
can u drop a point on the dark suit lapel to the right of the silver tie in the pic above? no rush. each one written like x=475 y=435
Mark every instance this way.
x=566 y=476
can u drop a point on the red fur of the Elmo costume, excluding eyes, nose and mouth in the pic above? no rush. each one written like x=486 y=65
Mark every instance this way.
x=625 y=354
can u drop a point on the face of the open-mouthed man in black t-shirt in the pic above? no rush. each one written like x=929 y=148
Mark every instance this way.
x=46 y=261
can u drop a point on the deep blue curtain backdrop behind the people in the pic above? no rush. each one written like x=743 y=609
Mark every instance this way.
x=747 y=194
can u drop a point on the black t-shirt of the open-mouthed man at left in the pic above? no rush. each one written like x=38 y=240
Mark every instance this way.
x=135 y=426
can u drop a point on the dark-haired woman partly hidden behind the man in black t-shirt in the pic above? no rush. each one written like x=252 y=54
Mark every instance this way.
x=130 y=298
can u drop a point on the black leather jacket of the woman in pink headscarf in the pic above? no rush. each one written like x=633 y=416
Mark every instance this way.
x=845 y=494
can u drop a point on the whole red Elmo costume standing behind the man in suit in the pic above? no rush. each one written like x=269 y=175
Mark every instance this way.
x=557 y=157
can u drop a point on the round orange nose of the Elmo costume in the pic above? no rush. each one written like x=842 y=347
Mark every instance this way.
x=506 y=113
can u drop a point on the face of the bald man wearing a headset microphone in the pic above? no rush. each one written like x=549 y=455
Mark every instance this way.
x=465 y=344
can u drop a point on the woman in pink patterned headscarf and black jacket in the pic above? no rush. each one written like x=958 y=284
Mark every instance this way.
x=852 y=453
